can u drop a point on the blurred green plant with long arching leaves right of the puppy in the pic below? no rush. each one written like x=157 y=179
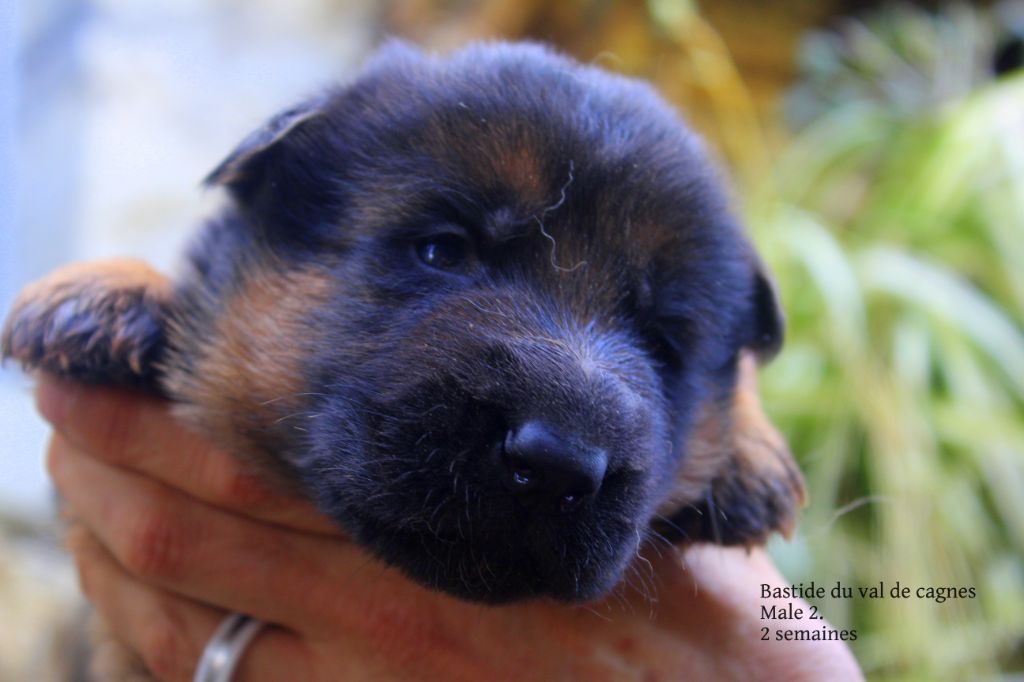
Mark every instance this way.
x=894 y=222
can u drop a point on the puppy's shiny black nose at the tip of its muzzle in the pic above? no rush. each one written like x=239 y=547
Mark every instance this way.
x=545 y=470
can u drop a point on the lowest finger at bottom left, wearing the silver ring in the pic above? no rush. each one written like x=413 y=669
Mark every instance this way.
x=169 y=632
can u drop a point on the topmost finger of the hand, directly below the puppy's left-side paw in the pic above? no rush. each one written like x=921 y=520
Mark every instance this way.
x=138 y=433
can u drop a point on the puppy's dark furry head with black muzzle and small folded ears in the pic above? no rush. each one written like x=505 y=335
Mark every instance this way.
x=529 y=290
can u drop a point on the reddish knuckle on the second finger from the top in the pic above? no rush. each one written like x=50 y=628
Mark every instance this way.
x=155 y=546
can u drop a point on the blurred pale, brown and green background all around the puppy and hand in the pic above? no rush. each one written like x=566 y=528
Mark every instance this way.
x=878 y=155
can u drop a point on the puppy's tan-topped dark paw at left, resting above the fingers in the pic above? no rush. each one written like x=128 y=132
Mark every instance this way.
x=99 y=323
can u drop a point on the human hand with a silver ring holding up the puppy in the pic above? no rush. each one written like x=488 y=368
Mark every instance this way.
x=174 y=535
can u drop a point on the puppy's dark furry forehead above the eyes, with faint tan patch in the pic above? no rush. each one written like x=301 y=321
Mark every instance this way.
x=516 y=129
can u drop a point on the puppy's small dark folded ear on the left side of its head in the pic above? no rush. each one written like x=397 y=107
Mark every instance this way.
x=276 y=156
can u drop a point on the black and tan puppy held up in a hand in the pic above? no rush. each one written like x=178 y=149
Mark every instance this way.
x=491 y=313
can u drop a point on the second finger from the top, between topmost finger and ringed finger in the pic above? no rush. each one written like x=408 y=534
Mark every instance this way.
x=170 y=541
